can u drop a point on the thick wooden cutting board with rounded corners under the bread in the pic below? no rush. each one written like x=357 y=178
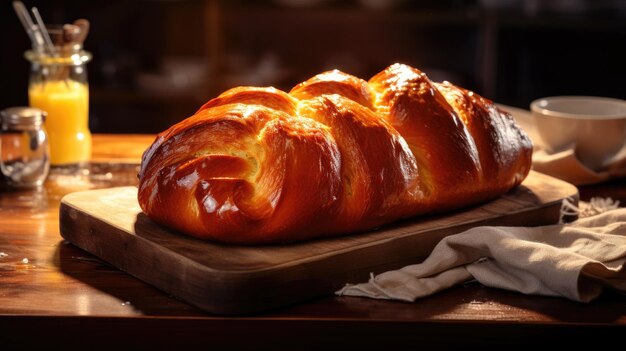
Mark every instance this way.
x=228 y=279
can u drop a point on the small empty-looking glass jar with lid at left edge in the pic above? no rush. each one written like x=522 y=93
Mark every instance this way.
x=24 y=150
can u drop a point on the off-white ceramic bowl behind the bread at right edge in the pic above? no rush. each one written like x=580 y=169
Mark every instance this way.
x=595 y=127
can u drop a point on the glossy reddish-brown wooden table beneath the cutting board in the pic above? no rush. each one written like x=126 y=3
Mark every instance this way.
x=52 y=293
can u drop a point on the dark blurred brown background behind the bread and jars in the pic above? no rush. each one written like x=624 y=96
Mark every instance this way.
x=156 y=62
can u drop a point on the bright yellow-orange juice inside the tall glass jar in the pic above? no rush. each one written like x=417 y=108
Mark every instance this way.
x=67 y=123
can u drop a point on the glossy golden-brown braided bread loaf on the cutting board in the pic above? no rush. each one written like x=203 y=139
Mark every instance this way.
x=335 y=155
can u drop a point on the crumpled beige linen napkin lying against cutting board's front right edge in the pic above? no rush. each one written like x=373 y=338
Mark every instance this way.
x=576 y=260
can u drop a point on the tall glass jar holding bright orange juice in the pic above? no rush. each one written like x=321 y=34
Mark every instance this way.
x=58 y=85
